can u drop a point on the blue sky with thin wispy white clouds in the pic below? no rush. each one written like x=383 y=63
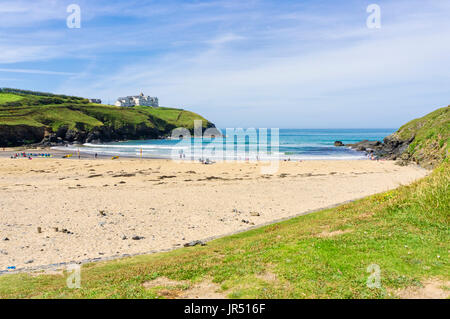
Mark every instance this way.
x=254 y=63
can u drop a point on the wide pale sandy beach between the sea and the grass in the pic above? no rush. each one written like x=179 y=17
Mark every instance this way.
x=57 y=210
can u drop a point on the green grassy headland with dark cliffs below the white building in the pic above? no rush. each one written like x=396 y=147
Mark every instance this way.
x=31 y=117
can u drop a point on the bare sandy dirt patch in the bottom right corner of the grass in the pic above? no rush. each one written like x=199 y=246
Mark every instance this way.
x=431 y=289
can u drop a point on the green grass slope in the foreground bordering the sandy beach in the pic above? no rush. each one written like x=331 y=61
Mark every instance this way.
x=404 y=231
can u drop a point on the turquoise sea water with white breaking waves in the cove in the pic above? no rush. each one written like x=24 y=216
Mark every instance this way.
x=294 y=144
